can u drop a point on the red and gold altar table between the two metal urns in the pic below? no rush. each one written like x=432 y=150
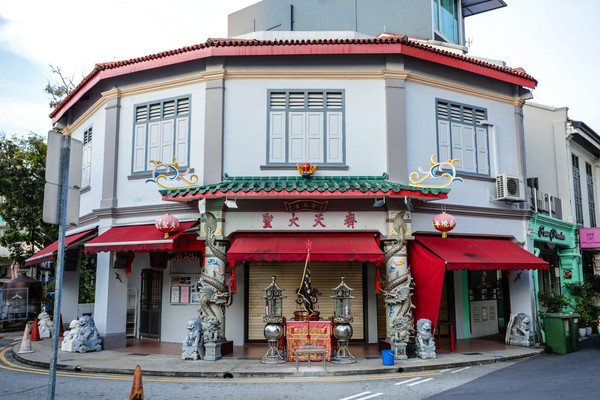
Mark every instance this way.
x=308 y=333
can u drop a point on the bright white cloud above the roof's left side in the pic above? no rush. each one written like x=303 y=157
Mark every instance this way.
x=76 y=34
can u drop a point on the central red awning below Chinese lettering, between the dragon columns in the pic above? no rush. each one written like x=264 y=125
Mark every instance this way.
x=292 y=247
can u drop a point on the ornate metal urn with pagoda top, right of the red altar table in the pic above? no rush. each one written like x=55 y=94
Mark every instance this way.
x=342 y=317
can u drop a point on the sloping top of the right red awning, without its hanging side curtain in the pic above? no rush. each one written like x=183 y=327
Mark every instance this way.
x=477 y=253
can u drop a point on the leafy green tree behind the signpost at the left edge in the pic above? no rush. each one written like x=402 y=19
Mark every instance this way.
x=22 y=178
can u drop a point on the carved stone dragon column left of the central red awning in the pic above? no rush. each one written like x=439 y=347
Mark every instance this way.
x=214 y=294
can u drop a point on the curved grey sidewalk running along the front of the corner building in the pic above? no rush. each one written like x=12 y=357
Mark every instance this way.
x=114 y=362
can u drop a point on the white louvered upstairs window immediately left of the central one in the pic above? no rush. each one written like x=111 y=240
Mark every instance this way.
x=161 y=134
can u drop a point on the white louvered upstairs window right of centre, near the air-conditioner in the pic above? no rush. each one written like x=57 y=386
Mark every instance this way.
x=461 y=136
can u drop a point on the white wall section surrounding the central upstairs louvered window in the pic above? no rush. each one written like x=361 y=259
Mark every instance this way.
x=245 y=143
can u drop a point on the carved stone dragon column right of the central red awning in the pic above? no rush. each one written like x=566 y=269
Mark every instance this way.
x=397 y=289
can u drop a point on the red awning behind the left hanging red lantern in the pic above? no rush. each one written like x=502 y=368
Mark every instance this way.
x=136 y=238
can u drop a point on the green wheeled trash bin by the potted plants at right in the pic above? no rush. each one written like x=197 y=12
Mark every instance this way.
x=561 y=331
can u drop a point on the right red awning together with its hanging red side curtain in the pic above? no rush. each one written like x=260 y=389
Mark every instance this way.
x=430 y=256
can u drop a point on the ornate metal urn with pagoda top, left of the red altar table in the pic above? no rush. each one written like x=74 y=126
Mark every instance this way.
x=274 y=319
